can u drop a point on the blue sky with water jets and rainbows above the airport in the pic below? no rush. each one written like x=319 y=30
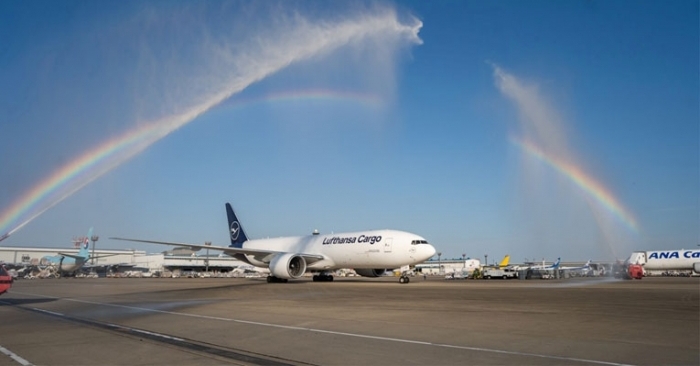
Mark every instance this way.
x=342 y=116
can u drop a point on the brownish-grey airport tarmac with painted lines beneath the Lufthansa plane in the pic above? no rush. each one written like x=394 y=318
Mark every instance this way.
x=351 y=321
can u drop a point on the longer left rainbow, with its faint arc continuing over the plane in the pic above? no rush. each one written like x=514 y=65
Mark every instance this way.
x=99 y=160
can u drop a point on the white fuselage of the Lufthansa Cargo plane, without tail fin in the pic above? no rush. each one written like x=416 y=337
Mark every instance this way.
x=363 y=249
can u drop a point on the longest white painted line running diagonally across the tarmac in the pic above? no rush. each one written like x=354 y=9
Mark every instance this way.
x=356 y=335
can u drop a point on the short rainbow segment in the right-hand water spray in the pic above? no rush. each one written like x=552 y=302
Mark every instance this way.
x=581 y=179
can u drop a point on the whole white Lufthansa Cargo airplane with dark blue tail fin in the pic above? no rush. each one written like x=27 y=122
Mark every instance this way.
x=369 y=253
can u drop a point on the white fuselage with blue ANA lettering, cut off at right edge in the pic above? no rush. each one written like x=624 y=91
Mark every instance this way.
x=667 y=260
